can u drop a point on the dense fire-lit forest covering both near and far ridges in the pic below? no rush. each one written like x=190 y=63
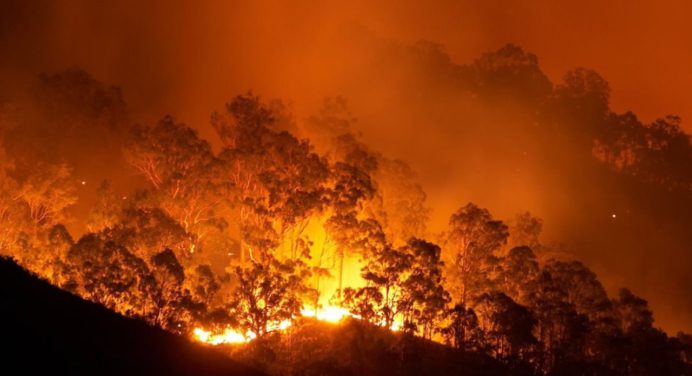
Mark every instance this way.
x=246 y=237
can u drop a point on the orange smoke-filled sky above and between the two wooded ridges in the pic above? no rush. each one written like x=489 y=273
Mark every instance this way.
x=187 y=58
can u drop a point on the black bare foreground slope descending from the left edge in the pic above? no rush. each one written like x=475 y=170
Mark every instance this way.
x=44 y=330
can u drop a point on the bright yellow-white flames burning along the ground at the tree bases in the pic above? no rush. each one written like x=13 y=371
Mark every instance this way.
x=331 y=314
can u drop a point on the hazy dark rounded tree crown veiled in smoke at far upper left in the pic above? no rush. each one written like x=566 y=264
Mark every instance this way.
x=69 y=115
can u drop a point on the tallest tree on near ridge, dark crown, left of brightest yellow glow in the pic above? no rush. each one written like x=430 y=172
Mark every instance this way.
x=278 y=180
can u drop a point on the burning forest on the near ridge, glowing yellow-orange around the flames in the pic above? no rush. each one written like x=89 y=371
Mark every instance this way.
x=260 y=236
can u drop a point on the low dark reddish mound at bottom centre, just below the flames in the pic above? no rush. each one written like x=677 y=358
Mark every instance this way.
x=357 y=348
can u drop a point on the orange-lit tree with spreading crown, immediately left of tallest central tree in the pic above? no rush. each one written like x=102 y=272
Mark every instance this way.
x=184 y=175
